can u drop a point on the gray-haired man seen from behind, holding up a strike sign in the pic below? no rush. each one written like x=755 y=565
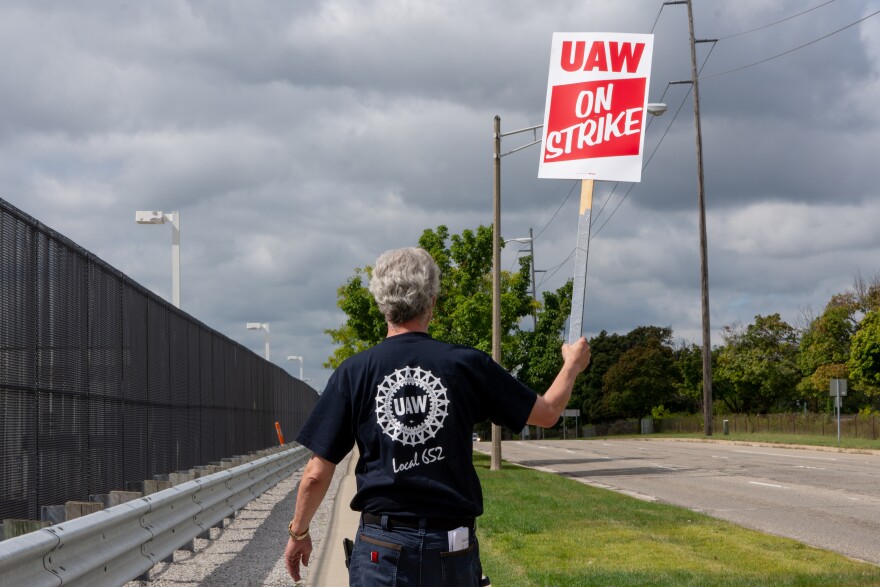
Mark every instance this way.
x=410 y=404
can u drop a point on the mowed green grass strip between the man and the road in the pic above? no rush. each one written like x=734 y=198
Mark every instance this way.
x=545 y=530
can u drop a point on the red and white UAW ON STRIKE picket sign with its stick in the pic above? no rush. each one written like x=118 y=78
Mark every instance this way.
x=594 y=123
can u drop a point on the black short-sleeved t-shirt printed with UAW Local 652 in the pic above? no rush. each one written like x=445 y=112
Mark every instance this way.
x=410 y=403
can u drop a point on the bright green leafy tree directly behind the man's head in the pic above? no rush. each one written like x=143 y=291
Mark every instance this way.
x=463 y=313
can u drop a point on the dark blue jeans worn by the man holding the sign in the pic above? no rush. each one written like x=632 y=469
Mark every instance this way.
x=411 y=557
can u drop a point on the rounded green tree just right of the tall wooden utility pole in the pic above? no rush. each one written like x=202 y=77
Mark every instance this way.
x=758 y=364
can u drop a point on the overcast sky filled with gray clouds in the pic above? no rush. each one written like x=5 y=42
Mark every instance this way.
x=299 y=140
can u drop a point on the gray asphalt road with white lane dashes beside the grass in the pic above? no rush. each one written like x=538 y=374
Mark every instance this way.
x=827 y=499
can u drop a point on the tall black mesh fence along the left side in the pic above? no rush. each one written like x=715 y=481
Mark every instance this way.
x=102 y=383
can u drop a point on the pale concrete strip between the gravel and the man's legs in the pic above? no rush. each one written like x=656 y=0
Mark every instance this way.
x=330 y=570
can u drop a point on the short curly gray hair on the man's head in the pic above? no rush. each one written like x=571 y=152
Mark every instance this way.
x=405 y=283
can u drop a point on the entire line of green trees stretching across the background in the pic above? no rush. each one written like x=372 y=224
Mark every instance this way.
x=762 y=367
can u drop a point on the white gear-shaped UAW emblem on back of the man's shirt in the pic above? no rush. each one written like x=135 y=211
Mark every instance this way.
x=411 y=405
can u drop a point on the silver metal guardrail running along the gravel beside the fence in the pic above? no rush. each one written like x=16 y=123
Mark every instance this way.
x=116 y=545
